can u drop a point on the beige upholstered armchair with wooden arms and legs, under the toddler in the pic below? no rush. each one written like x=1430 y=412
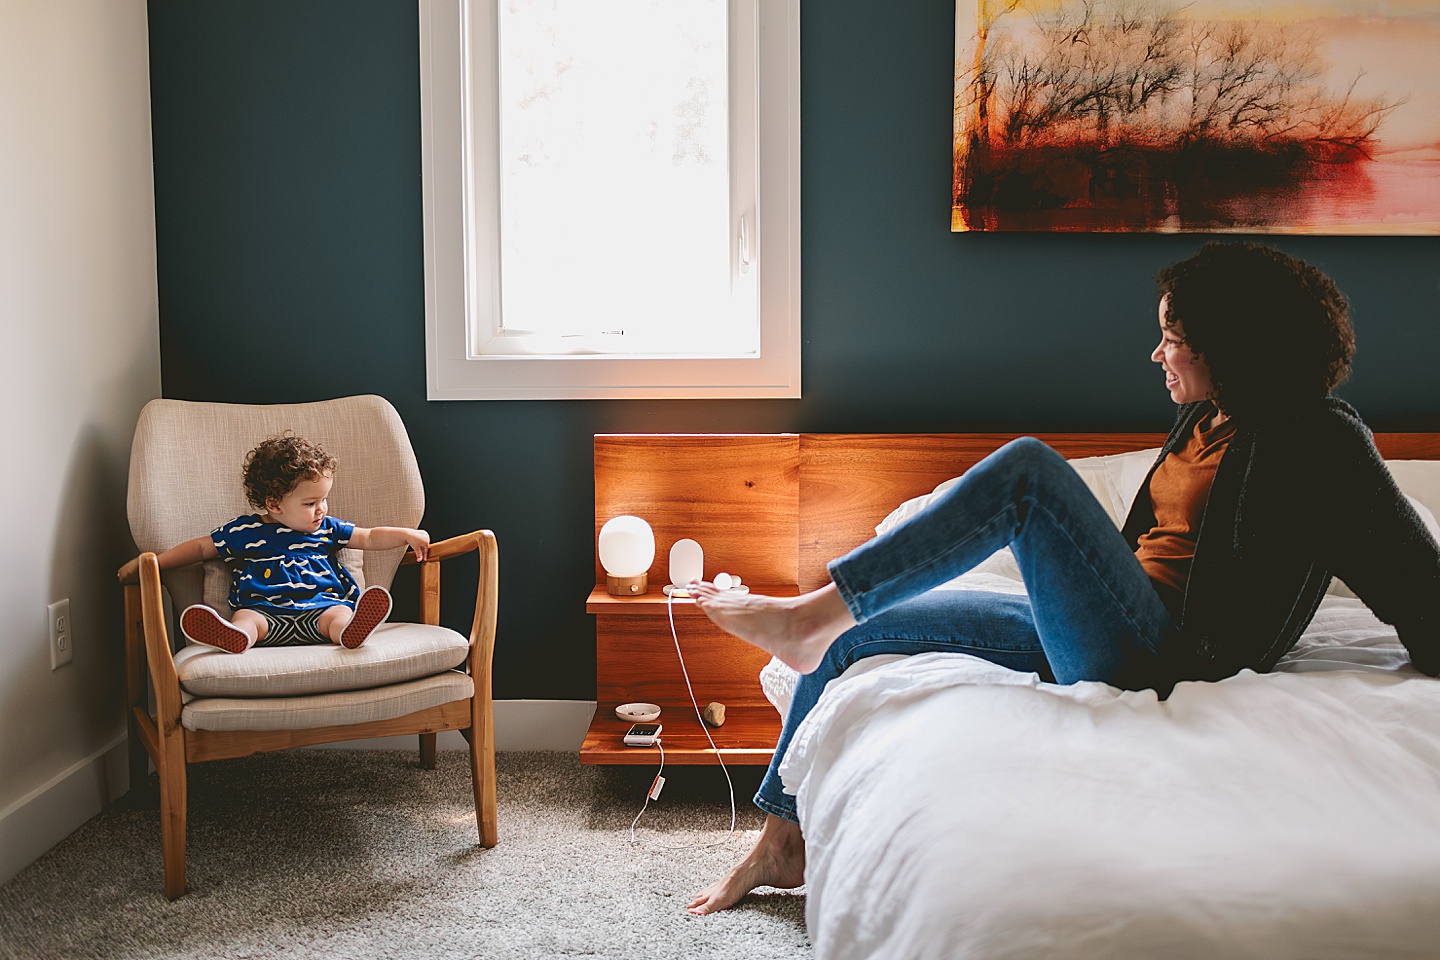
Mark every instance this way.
x=408 y=679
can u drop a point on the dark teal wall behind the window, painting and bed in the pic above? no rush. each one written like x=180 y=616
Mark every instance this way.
x=292 y=268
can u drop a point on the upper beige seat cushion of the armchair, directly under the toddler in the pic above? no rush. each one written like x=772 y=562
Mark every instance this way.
x=394 y=654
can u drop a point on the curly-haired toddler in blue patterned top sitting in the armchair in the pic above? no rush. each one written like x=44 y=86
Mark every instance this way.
x=287 y=582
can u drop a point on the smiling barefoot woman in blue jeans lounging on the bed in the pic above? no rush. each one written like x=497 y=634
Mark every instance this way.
x=1265 y=490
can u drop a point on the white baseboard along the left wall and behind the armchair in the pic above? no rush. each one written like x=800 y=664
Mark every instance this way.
x=45 y=817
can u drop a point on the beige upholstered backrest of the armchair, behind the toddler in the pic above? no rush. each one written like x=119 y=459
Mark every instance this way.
x=185 y=479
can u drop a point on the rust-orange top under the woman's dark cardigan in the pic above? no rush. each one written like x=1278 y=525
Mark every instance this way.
x=1180 y=489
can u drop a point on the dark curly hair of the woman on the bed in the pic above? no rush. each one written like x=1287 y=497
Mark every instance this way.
x=1274 y=330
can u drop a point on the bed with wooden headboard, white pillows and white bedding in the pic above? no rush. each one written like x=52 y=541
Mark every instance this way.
x=955 y=810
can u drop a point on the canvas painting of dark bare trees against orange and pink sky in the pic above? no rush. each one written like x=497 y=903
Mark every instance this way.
x=1197 y=116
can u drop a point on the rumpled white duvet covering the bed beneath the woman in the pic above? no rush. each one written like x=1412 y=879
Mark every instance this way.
x=958 y=810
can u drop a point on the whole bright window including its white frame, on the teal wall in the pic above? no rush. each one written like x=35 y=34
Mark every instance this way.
x=611 y=198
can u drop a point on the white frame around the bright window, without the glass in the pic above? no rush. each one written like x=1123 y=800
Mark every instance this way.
x=462 y=202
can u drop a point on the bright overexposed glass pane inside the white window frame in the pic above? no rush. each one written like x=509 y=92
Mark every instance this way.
x=614 y=146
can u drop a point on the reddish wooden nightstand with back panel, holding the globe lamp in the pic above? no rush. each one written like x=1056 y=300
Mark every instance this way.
x=738 y=497
